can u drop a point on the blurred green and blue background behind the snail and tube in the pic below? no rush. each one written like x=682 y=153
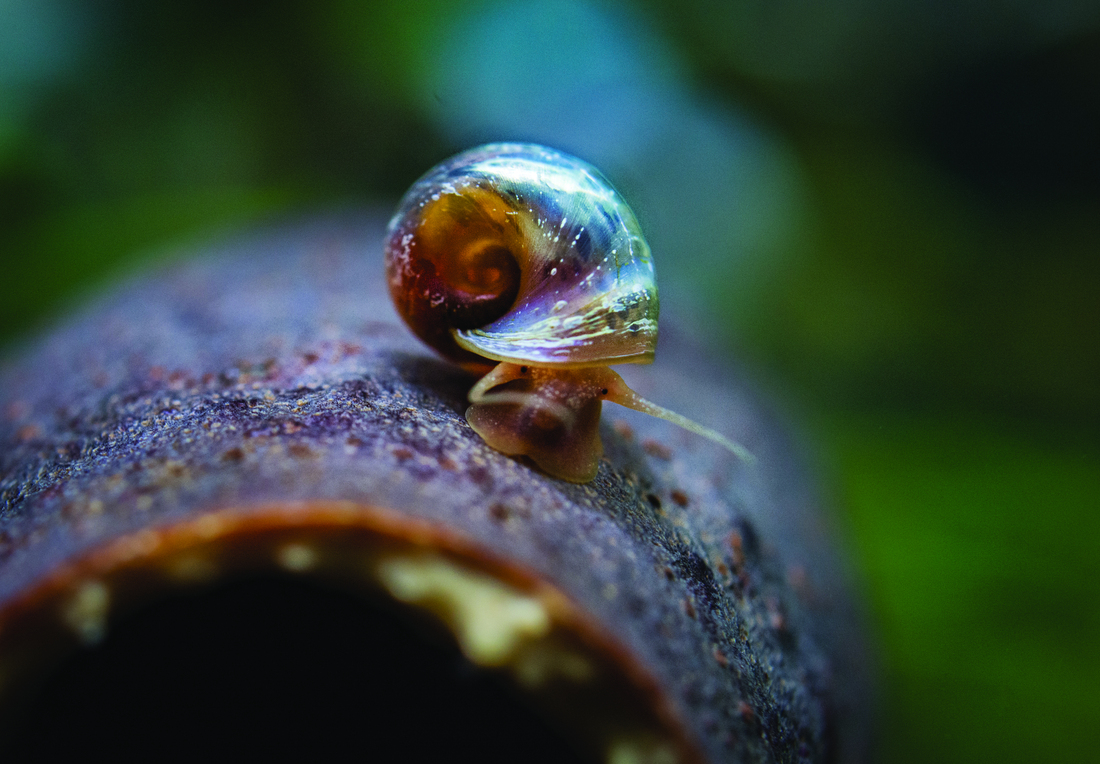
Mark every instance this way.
x=892 y=211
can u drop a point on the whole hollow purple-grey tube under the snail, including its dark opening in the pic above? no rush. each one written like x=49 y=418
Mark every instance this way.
x=240 y=502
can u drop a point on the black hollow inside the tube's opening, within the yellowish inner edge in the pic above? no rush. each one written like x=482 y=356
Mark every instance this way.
x=279 y=666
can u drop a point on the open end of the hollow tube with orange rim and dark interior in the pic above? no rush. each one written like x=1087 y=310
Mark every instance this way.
x=316 y=629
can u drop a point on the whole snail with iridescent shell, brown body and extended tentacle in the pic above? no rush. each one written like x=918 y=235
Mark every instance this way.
x=524 y=264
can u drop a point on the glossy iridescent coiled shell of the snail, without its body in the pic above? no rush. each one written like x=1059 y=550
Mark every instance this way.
x=514 y=252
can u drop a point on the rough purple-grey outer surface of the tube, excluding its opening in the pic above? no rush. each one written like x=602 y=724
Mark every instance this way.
x=273 y=370
